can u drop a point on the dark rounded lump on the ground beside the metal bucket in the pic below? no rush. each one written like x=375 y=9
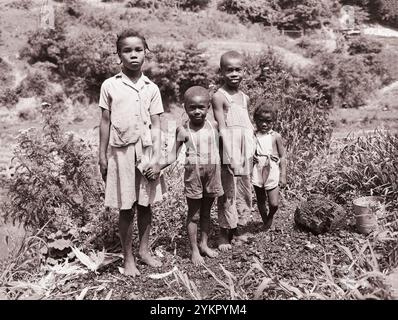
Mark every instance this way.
x=319 y=215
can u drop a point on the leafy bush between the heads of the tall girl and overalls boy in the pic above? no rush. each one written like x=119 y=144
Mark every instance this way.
x=174 y=71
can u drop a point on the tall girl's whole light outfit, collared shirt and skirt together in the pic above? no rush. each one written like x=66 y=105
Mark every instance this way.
x=130 y=143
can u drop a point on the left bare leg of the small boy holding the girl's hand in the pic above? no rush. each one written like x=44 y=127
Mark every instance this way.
x=192 y=227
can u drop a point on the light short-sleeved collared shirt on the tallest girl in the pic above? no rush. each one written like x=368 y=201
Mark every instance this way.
x=130 y=105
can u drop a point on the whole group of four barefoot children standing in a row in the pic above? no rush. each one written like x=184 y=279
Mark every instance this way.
x=219 y=156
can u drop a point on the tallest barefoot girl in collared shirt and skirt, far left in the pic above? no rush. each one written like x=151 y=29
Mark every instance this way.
x=130 y=124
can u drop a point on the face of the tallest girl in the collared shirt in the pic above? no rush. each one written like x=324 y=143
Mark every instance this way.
x=132 y=53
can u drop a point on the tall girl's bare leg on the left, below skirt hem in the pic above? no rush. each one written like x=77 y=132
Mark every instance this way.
x=126 y=218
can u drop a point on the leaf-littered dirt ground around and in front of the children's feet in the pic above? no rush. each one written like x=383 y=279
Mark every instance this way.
x=285 y=253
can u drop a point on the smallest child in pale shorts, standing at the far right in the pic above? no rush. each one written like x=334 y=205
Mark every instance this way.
x=270 y=163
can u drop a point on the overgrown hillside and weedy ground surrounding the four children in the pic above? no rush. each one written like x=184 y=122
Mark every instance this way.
x=334 y=82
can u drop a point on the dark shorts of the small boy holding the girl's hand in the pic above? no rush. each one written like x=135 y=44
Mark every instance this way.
x=202 y=181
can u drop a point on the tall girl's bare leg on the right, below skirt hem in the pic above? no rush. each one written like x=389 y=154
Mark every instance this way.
x=144 y=220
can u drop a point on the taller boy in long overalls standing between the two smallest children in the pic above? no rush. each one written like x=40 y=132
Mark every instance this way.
x=230 y=107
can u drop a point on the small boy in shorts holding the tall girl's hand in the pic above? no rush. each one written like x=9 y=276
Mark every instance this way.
x=202 y=177
